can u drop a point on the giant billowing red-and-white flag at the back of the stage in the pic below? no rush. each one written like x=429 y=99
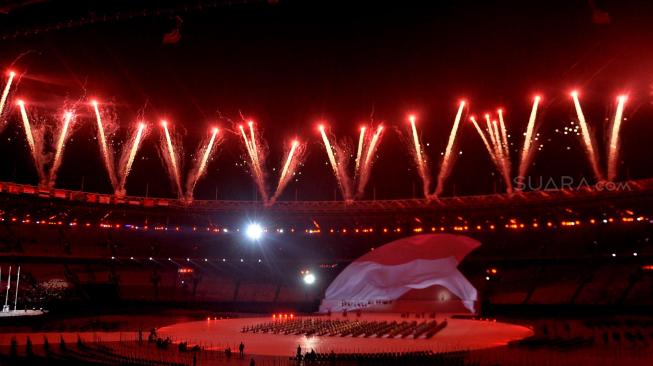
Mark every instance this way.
x=416 y=262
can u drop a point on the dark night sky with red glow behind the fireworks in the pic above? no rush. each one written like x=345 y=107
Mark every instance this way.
x=287 y=65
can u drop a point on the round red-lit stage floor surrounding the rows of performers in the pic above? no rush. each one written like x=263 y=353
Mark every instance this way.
x=460 y=334
